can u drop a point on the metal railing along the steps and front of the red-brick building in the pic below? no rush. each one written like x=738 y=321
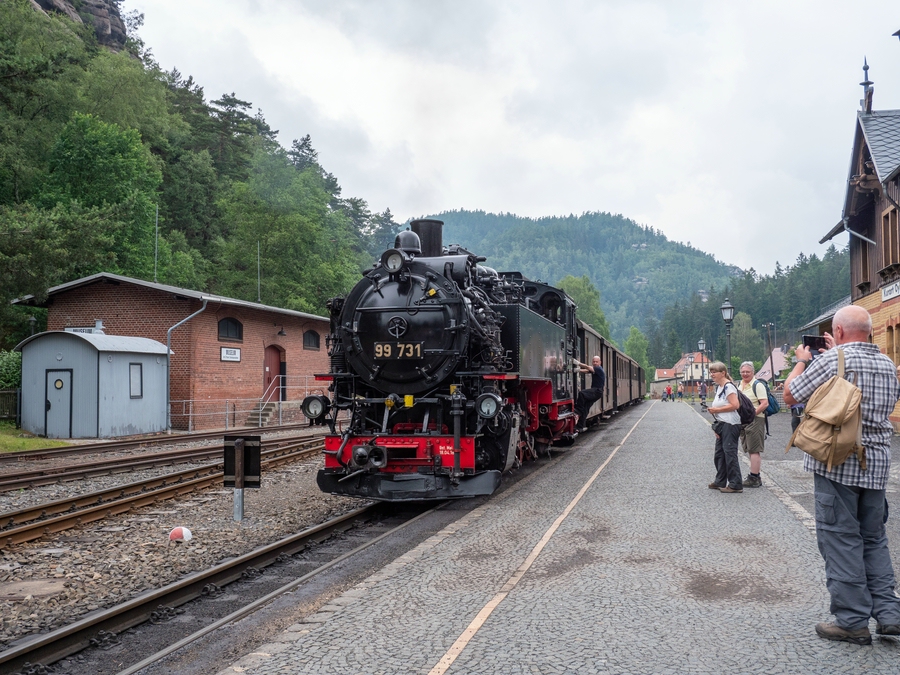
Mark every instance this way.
x=279 y=405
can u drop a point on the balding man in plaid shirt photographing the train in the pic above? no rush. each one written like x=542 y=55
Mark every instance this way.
x=851 y=507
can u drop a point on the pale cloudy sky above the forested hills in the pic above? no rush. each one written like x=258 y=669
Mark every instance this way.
x=727 y=125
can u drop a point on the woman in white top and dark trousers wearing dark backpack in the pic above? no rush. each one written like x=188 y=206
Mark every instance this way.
x=727 y=427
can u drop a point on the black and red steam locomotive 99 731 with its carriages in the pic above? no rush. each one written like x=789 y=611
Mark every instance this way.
x=444 y=374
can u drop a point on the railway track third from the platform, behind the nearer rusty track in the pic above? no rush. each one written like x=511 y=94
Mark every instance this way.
x=60 y=473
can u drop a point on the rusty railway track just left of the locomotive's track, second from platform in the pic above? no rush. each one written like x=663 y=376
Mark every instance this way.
x=35 y=522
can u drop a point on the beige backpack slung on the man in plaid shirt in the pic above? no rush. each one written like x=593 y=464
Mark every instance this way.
x=831 y=427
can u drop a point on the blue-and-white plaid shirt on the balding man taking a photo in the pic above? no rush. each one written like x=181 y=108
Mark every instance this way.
x=876 y=376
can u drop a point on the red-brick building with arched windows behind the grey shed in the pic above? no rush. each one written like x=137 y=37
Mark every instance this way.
x=232 y=362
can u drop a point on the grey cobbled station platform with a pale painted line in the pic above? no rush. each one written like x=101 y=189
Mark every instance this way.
x=614 y=558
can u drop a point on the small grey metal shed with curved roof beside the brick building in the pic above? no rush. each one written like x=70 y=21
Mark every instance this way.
x=90 y=385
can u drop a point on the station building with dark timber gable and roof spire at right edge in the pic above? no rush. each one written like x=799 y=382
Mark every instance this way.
x=871 y=216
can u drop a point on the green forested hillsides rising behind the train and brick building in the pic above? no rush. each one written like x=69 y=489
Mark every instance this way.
x=110 y=163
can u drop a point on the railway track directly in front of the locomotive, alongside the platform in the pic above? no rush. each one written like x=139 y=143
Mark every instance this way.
x=102 y=626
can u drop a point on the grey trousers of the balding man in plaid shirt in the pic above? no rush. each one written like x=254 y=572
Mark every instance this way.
x=852 y=540
